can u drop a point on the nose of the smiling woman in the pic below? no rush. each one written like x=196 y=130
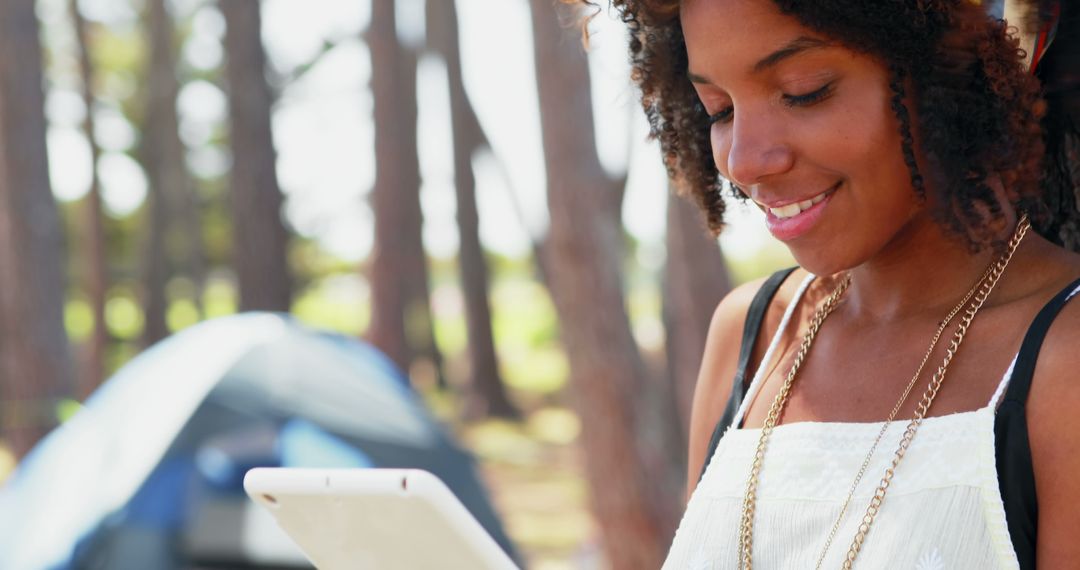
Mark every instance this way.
x=757 y=150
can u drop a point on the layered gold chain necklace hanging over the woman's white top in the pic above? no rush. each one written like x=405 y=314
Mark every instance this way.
x=977 y=296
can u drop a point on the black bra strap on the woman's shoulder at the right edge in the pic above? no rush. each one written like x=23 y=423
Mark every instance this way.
x=1014 y=451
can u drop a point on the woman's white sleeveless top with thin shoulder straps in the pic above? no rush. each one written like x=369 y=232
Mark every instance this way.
x=943 y=510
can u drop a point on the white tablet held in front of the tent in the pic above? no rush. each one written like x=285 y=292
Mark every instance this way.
x=375 y=520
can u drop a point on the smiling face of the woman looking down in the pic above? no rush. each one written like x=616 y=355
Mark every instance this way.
x=805 y=127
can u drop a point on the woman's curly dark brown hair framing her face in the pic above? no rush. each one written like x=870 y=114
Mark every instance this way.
x=967 y=79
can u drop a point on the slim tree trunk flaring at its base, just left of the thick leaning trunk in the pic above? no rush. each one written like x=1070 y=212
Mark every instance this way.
x=488 y=393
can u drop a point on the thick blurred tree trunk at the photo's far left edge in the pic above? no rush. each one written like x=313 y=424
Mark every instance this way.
x=35 y=361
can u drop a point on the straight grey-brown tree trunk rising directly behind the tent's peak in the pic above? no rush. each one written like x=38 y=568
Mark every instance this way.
x=260 y=237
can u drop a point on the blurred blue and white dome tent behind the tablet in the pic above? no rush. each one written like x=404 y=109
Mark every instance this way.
x=150 y=473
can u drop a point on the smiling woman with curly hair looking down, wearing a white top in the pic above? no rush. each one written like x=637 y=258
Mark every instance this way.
x=896 y=148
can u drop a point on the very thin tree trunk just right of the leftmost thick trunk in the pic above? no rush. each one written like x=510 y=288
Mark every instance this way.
x=94 y=263
